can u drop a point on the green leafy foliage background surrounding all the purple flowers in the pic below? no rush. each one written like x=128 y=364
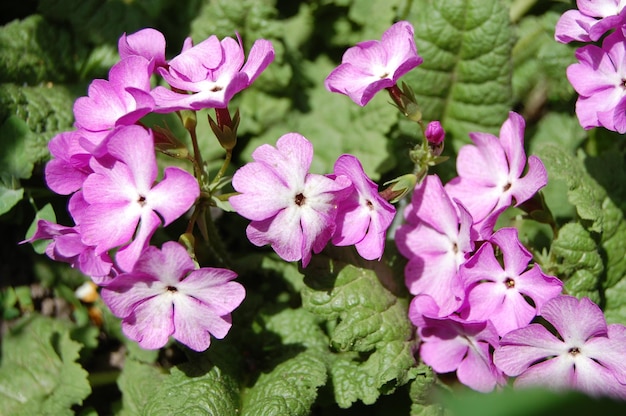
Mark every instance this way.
x=333 y=338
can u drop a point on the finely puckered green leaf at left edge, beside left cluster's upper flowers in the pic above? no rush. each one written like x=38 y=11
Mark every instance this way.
x=47 y=110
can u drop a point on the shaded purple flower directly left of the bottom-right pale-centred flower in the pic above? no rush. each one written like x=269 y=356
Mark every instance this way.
x=449 y=344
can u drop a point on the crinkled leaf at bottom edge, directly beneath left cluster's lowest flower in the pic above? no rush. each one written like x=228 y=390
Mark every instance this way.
x=195 y=388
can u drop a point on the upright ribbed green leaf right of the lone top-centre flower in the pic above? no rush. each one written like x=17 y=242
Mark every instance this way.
x=465 y=80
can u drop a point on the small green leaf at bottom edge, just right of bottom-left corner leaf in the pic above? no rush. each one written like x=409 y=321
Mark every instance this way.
x=138 y=383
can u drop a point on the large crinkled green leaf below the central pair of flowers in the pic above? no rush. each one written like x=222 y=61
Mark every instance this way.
x=367 y=324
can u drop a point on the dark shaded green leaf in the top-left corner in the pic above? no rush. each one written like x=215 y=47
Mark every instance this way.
x=34 y=50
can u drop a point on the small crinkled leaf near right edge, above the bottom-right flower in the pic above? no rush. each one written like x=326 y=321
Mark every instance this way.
x=578 y=261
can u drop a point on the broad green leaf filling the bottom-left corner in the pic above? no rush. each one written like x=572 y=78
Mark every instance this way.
x=39 y=374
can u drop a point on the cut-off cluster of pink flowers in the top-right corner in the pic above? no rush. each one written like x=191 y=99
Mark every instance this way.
x=599 y=76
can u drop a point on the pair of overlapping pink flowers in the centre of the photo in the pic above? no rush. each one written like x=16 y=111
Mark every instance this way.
x=298 y=212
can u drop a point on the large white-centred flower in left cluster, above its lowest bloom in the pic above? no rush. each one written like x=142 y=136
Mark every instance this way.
x=120 y=194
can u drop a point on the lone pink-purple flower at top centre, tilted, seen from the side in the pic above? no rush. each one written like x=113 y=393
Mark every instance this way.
x=373 y=65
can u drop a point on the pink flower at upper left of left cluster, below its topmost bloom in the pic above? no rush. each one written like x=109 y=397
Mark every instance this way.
x=120 y=101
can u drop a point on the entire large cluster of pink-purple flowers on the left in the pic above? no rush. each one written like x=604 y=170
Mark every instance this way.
x=108 y=165
